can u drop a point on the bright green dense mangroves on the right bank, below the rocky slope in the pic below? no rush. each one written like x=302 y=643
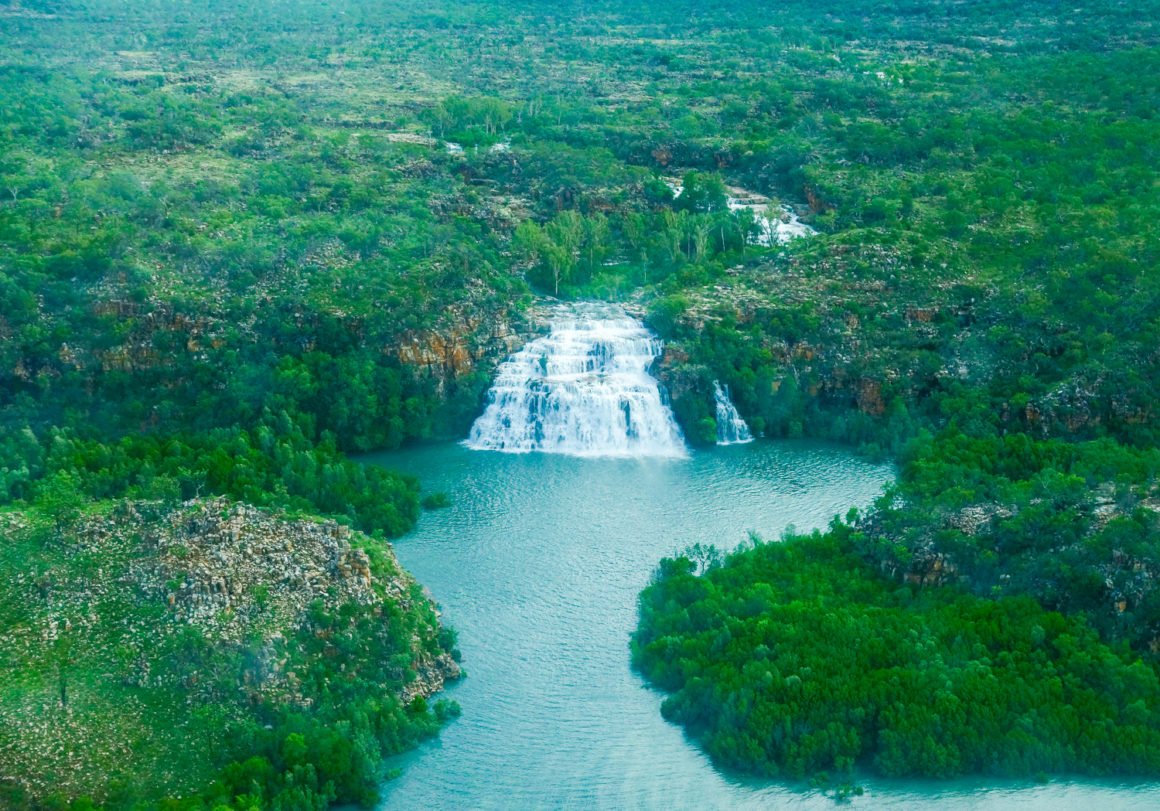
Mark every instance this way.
x=797 y=657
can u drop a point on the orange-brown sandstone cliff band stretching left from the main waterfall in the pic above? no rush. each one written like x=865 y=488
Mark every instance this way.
x=151 y=336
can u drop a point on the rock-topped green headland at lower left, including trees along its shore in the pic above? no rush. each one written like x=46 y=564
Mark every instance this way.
x=185 y=660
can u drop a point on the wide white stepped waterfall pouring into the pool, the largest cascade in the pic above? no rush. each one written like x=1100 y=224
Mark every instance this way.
x=584 y=389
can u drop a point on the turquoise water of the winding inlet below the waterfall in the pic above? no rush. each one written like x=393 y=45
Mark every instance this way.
x=538 y=566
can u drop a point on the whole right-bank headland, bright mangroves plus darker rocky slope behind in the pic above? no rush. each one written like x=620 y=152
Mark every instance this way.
x=996 y=613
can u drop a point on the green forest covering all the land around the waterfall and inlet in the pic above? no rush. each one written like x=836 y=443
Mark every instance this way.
x=242 y=245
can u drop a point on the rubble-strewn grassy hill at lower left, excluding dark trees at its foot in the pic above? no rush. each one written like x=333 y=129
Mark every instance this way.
x=191 y=618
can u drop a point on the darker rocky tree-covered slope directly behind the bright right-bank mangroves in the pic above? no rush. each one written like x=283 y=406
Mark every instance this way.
x=1071 y=524
